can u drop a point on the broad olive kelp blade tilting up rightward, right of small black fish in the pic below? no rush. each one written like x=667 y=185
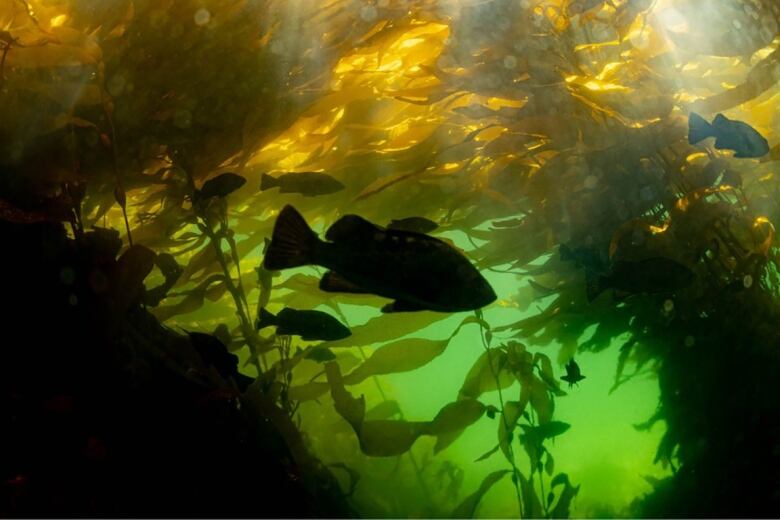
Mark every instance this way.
x=403 y=355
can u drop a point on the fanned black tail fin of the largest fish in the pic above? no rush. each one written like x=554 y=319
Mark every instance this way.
x=293 y=242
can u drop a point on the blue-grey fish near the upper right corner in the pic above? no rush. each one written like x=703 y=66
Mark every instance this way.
x=729 y=135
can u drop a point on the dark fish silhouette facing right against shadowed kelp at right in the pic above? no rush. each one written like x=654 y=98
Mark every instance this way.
x=650 y=276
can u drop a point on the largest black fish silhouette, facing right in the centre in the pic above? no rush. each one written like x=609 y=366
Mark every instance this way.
x=417 y=271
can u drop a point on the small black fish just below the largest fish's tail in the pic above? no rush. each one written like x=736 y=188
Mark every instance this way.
x=309 y=325
